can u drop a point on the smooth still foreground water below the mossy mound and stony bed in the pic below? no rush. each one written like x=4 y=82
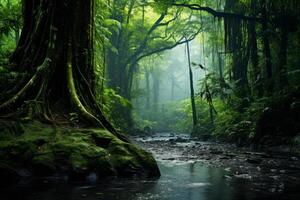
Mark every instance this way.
x=180 y=180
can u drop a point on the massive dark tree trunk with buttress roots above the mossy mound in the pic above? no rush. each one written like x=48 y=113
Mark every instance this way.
x=55 y=49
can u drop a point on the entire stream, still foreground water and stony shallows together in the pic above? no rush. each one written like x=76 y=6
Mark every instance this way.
x=190 y=170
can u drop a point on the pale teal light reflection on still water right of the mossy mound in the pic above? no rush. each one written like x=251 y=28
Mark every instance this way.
x=194 y=181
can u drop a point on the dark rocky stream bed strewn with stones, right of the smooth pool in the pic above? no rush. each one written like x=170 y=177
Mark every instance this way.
x=271 y=172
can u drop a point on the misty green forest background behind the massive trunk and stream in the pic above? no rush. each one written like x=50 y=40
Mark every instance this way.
x=238 y=58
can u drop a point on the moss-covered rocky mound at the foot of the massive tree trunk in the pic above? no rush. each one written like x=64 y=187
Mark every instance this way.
x=45 y=150
